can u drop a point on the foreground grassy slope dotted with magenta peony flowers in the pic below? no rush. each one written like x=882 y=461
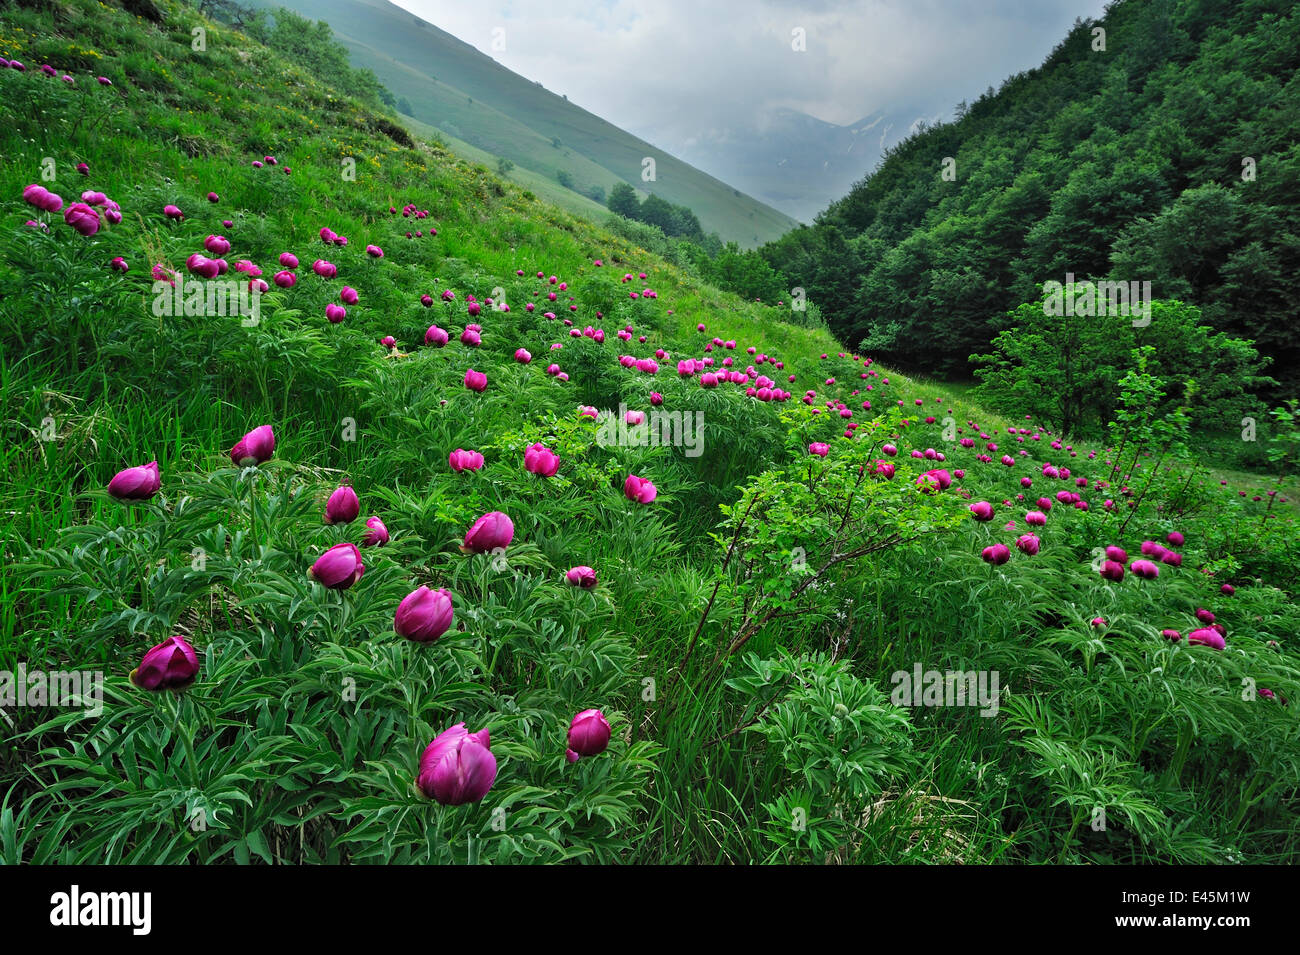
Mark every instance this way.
x=755 y=619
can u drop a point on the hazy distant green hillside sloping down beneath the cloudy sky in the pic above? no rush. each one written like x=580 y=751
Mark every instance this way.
x=471 y=97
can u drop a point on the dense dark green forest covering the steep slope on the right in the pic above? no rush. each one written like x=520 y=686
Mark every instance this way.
x=1165 y=151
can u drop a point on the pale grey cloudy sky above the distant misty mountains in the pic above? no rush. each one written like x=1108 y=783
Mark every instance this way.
x=668 y=70
